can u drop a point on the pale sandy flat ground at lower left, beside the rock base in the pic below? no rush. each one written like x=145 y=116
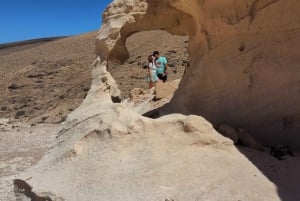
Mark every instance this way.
x=21 y=146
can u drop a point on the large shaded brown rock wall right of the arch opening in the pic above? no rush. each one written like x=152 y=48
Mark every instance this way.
x=245 y=71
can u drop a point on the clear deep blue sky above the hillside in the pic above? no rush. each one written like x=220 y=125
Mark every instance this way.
x=28 y=19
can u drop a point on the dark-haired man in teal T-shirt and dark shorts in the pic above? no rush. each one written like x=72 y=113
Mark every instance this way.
x=162 y=65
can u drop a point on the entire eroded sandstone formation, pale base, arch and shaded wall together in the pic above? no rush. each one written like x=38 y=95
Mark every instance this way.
x=106 y=151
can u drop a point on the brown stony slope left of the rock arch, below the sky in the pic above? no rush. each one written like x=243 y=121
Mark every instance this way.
x=43 y=82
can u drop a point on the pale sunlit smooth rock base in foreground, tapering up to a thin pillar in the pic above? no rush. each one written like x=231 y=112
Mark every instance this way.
x=108 y=152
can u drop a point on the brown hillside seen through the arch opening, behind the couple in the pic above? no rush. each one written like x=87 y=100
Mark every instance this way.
x=131 y=75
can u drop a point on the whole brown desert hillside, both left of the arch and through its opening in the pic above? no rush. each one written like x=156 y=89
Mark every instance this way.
x=43 y=81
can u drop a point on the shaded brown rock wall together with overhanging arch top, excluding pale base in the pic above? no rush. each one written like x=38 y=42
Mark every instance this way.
x=244 y=59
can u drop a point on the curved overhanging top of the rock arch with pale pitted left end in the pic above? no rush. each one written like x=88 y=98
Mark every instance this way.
x=124 y=18
